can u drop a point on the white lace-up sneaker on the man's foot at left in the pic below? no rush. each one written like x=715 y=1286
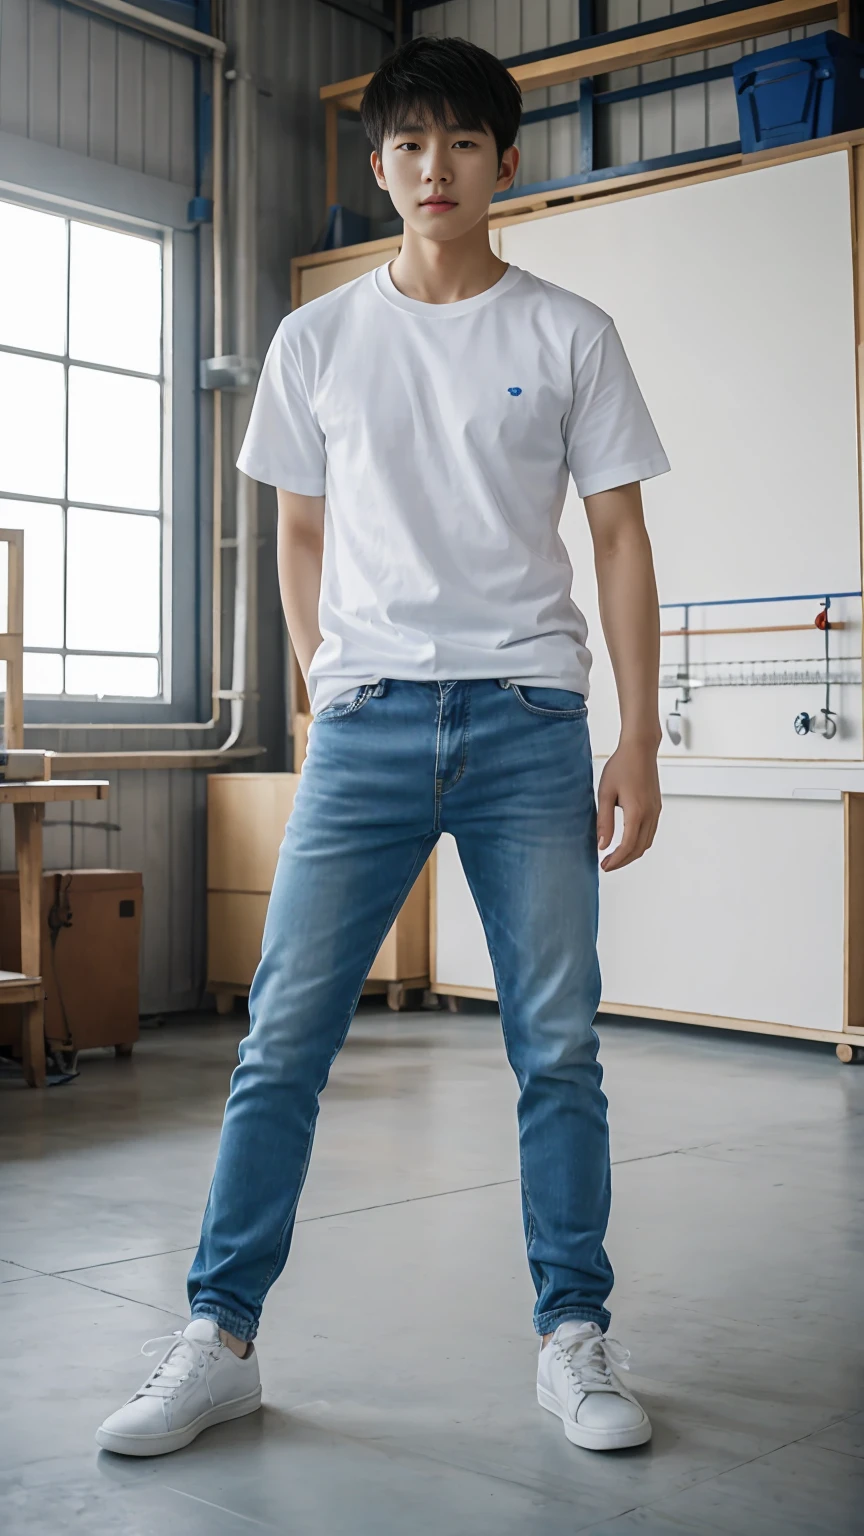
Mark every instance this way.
x=199 y=1382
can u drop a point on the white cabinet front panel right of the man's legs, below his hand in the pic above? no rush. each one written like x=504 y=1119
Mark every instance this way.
x=737 y=910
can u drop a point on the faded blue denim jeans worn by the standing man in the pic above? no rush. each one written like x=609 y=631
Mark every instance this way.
x=508 y=772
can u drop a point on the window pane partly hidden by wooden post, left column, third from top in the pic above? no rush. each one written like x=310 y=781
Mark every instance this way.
x=44 y=569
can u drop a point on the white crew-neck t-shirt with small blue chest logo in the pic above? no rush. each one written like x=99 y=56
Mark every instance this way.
x=444 y=437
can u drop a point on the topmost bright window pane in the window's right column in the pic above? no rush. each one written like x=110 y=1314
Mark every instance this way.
x=115 y=299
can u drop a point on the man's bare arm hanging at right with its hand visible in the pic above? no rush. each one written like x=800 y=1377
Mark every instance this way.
x=631 y=624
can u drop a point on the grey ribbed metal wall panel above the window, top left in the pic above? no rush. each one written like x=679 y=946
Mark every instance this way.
x=91 y=87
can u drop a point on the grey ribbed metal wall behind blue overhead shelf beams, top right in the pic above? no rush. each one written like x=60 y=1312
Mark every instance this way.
x=646 y=128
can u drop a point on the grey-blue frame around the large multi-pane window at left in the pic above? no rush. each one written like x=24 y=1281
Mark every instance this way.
x=185 y=649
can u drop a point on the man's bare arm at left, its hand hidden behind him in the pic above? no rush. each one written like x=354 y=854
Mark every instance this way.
x=301 y=549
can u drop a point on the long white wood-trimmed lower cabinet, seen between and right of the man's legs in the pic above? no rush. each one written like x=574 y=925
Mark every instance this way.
x=748 y=913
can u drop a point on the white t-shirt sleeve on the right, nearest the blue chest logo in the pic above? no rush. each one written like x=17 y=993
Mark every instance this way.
x=610 y=435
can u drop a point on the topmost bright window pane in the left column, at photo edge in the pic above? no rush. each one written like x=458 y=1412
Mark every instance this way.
x=33 y=280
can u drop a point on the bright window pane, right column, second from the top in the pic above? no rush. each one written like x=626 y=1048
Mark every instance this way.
x=115 y=440
